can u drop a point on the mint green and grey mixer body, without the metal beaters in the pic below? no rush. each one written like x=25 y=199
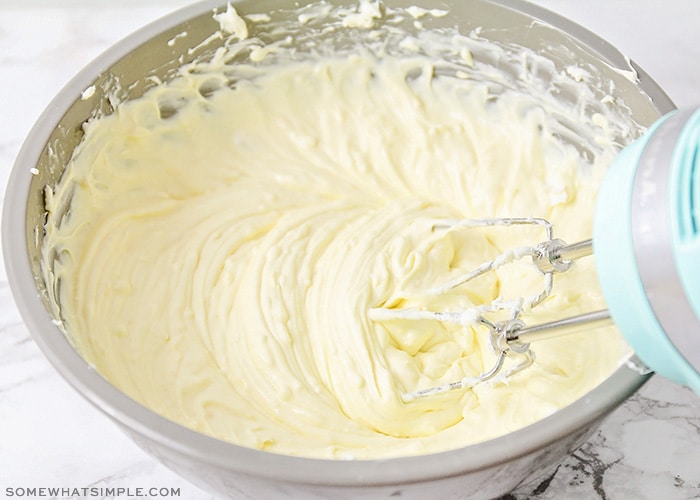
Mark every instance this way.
x=646 y=239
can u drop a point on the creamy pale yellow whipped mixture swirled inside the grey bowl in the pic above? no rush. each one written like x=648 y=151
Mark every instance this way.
x=219 y=265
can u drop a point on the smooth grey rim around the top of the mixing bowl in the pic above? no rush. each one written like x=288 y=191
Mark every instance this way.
x=143 y=421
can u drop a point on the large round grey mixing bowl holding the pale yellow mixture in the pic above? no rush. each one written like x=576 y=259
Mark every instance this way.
x=483 y=470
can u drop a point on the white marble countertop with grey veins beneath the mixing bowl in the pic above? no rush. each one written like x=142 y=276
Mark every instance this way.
x=49 y=436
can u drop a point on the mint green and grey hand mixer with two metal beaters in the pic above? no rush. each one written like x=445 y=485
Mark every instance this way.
x=646 y=238
